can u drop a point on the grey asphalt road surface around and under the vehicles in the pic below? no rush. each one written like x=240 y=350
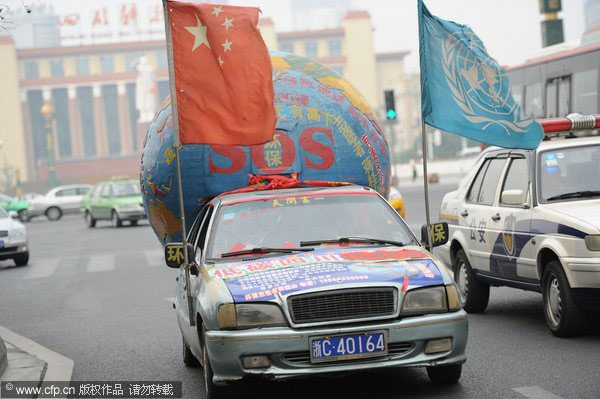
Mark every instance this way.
x=102 y=297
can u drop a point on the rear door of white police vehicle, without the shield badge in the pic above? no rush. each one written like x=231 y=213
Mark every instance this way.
x=478 y=210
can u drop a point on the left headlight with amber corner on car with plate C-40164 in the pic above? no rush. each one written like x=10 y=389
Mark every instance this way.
x=247 y=315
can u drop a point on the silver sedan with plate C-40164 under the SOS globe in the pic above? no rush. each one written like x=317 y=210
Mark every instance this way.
x=306 y=281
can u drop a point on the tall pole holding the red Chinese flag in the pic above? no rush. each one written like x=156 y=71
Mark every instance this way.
x=177 y=144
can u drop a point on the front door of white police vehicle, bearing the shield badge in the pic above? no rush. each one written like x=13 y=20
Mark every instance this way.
x=511 y=250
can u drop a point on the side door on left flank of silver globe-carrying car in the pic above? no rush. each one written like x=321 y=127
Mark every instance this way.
x=196 y=237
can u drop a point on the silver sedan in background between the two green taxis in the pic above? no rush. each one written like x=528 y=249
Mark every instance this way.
x=59 y=201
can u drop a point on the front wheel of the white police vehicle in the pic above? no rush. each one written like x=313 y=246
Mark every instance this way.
x=564 y=316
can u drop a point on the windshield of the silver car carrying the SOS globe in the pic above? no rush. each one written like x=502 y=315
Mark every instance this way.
x=286 y=221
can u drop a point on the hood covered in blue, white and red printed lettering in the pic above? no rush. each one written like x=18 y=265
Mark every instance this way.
x=262 y=279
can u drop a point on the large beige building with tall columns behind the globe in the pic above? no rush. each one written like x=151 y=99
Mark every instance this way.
x=92 y=89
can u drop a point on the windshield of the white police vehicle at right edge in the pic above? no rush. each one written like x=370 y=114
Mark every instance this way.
x=569 y=173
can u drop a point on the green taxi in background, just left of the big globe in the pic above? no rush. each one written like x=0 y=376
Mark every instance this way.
x=116 y=200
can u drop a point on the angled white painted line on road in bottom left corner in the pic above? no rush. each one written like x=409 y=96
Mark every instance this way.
x=59 y=368
